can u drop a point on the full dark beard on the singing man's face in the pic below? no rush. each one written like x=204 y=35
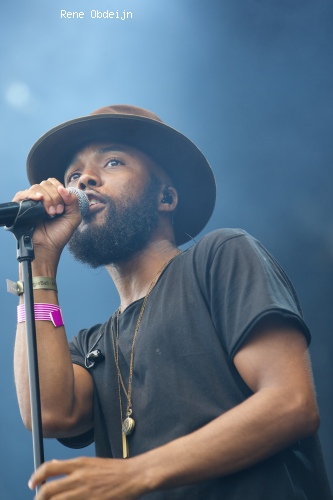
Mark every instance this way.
x=128 y=225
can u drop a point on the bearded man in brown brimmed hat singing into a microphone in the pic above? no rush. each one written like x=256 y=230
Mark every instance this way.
x=201 y=378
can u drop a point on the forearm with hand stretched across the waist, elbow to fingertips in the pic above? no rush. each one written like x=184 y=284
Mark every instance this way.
x=259 y=427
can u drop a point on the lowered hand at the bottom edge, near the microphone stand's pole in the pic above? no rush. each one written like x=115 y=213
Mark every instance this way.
x=89 y=478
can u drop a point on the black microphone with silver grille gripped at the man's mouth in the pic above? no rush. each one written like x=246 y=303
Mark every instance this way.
x=10 y=211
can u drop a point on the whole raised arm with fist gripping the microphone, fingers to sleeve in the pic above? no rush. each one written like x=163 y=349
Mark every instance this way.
x=66 y=392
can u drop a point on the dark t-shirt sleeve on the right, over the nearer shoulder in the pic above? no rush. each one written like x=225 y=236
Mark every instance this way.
x=245 y=283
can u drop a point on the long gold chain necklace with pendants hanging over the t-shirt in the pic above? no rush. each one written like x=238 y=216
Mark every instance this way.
x=128 y=423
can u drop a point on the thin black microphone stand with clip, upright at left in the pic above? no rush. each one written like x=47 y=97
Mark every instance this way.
x=27 y=219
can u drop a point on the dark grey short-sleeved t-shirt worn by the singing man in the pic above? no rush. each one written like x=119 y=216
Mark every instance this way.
x=201 y=311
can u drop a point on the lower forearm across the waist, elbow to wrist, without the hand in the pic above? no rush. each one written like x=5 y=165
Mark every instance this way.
x=264 y=424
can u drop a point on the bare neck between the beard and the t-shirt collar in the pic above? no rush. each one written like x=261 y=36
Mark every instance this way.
x=133 y=277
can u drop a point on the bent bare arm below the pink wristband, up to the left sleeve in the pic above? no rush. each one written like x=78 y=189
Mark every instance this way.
x=65 y=389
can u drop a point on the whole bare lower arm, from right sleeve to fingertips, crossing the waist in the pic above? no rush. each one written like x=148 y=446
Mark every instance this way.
x=275 y=365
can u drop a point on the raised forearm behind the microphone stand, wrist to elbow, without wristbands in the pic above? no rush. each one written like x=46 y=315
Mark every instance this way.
x=54 y=362
